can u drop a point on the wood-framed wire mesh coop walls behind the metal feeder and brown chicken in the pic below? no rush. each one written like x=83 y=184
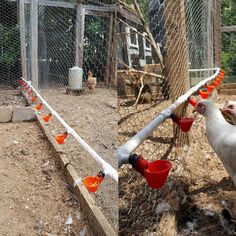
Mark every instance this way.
x=50 y=37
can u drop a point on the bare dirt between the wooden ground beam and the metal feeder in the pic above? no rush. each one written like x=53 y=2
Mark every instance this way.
x=94 y=117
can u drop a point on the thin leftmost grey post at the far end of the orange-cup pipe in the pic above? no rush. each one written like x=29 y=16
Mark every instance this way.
x=22 y=40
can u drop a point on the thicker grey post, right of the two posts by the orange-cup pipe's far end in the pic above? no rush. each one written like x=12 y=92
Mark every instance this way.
x=34 y=41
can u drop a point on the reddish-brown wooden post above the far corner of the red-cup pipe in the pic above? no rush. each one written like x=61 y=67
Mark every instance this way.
x=217 y=33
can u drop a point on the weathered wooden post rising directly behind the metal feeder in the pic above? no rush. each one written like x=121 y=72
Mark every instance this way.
x=80 y=18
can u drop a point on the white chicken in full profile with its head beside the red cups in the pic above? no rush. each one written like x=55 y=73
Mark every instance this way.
x=221 y=135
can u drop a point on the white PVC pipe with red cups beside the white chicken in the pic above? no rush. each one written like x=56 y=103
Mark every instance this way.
x=125 y=150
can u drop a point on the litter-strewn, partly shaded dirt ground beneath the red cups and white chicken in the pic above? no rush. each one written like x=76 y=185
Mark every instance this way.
x=197 y=176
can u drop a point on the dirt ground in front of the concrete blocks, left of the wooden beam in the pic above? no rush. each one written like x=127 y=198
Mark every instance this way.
x=34 y=196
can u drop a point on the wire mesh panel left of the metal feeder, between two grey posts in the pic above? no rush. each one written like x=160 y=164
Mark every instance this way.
x=56 y=48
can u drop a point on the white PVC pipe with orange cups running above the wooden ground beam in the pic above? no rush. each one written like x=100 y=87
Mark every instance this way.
x=107 y=168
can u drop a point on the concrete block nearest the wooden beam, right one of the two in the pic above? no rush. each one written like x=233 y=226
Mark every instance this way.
x=23 y=114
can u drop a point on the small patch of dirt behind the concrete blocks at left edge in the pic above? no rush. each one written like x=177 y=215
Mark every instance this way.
x=11 y=98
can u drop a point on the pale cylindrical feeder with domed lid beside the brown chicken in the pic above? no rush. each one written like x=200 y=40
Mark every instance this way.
x=75 y=78
